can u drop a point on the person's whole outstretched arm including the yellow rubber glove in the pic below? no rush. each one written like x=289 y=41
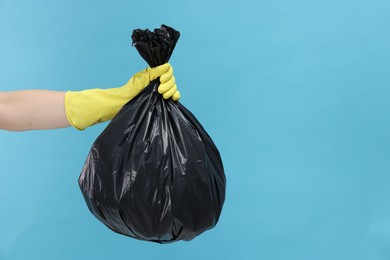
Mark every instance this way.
x=43 y=109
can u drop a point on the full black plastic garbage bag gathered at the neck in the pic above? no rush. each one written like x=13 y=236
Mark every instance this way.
x=154 y=173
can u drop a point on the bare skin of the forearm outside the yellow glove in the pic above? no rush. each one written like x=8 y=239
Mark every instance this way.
x=32 y=110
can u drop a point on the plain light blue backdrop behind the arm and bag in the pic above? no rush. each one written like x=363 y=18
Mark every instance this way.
x=294 y=93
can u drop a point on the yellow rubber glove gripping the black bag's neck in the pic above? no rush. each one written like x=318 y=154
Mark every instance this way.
x=89 y=107
